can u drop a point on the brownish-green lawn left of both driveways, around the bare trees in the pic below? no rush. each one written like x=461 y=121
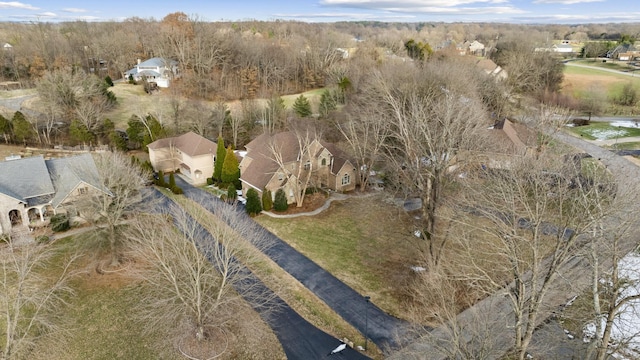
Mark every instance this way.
x=101 y=323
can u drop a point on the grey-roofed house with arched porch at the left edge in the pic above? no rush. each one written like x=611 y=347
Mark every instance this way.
x=33 y=189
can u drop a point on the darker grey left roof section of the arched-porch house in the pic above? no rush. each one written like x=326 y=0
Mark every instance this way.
x=26 y=178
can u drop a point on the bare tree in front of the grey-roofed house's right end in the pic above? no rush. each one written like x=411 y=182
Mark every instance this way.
x=120 y=197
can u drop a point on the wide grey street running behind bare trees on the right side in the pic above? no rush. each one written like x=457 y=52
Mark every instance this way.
x=494 y=314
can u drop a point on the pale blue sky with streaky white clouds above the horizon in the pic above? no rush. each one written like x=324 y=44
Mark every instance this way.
x=510 y=11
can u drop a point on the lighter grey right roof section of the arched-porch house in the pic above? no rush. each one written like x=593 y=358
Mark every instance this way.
x=67 y=173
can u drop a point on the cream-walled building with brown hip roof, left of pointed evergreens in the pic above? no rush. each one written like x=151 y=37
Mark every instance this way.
x=190 y=153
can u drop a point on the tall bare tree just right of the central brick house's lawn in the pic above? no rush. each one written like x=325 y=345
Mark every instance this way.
x=432 y=116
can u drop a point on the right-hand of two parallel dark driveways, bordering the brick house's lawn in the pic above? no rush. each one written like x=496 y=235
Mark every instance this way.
x=383 y=329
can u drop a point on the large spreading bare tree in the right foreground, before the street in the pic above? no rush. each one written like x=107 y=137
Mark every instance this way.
x=525 y=225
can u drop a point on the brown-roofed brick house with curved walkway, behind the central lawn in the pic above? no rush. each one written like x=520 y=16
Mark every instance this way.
x=330 y=167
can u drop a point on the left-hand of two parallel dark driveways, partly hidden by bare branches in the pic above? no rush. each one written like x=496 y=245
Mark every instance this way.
x=299 y=338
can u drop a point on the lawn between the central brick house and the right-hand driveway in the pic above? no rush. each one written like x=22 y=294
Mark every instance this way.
x=365 y=242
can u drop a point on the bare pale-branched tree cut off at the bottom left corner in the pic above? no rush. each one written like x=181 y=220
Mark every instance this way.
x=32 y=294
